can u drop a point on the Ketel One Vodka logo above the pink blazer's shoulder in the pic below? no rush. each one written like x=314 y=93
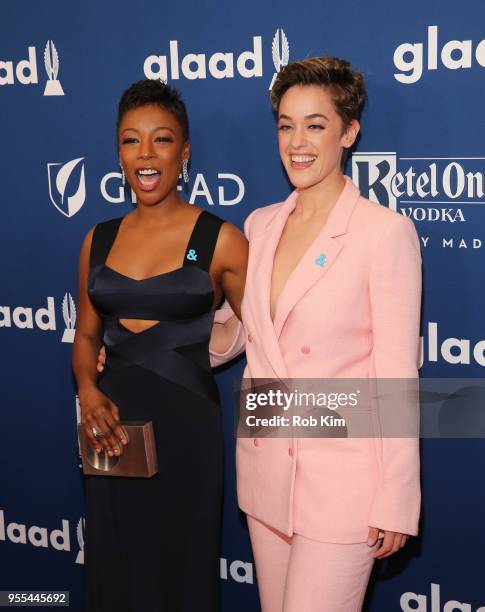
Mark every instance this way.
x=423 y=188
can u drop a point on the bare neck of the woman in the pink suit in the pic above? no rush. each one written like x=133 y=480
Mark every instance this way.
x=319 y=199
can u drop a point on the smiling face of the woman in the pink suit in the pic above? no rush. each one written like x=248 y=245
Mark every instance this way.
x=311 y=136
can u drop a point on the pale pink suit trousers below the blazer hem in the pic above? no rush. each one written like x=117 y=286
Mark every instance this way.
x=296 y=574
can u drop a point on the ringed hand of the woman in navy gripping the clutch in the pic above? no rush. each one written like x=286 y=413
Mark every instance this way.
x=98 y=412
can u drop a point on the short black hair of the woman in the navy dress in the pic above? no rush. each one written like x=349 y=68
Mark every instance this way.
x=148 y=91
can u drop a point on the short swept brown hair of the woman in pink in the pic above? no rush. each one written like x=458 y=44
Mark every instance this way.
x=345 y=84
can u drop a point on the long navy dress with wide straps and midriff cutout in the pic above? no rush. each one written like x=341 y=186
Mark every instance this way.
x=152 y=545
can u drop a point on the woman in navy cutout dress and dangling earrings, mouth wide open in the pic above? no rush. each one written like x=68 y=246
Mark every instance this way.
x=148 y=286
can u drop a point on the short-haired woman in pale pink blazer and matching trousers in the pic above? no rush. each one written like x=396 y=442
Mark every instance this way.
x=333 y=290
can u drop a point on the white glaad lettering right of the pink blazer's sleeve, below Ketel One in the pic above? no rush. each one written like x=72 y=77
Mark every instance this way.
x=456 y=351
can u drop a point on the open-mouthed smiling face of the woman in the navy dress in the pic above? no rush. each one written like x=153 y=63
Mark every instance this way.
x=151 y=148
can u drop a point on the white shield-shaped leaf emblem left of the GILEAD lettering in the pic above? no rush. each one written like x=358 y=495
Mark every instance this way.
x=59 y=176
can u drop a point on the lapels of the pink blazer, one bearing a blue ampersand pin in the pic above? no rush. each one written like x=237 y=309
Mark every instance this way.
x=319 y=257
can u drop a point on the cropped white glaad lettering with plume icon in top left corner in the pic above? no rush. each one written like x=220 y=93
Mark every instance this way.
x=26 y=70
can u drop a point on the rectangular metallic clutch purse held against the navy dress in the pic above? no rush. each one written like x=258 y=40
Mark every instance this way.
x=139 y=457
